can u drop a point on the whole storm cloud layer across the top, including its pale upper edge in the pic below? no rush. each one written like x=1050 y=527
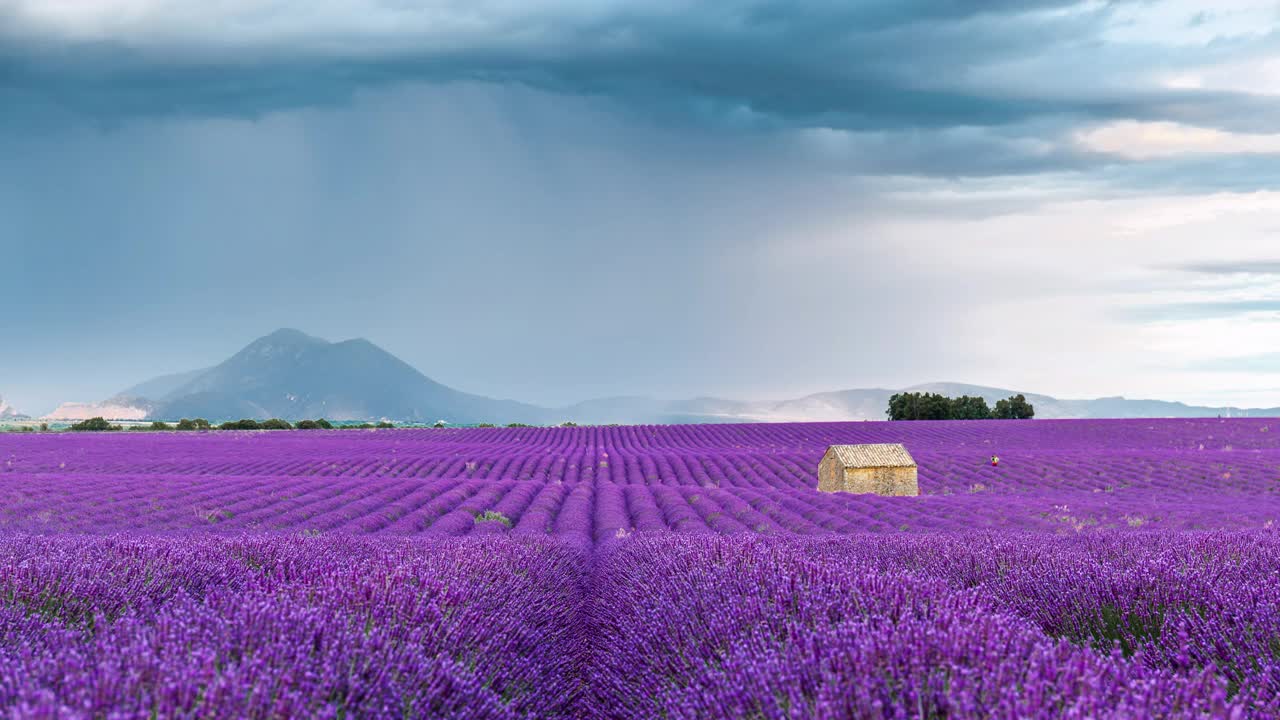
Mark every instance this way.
x=752 y=65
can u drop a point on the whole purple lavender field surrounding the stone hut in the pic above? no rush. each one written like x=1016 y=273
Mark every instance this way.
x=1105 y=569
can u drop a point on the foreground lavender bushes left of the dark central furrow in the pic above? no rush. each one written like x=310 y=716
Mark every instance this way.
x=286 y=628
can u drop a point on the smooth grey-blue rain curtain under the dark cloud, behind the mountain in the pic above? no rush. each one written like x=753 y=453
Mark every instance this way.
x=505 y=241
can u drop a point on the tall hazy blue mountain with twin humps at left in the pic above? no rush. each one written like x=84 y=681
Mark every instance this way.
x=294 y=376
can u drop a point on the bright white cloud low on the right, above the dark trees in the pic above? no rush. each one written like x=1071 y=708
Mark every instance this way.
x=1043 y=297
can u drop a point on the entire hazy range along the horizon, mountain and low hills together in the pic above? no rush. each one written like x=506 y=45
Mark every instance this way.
x=294 y=376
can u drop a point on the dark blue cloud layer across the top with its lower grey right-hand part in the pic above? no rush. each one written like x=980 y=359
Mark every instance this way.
x=917 y=88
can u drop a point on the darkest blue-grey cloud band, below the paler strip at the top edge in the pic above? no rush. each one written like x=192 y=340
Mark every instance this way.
x=753 y=65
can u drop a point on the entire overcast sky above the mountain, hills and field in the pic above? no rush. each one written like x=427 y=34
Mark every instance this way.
x=554 y=200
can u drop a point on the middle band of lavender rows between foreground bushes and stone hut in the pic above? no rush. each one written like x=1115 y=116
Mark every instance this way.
x=592 y=512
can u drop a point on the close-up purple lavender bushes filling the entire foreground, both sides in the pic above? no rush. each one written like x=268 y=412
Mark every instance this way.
x=656 y=625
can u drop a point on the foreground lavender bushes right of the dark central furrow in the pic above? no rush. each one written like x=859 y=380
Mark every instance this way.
x=740 y=627
